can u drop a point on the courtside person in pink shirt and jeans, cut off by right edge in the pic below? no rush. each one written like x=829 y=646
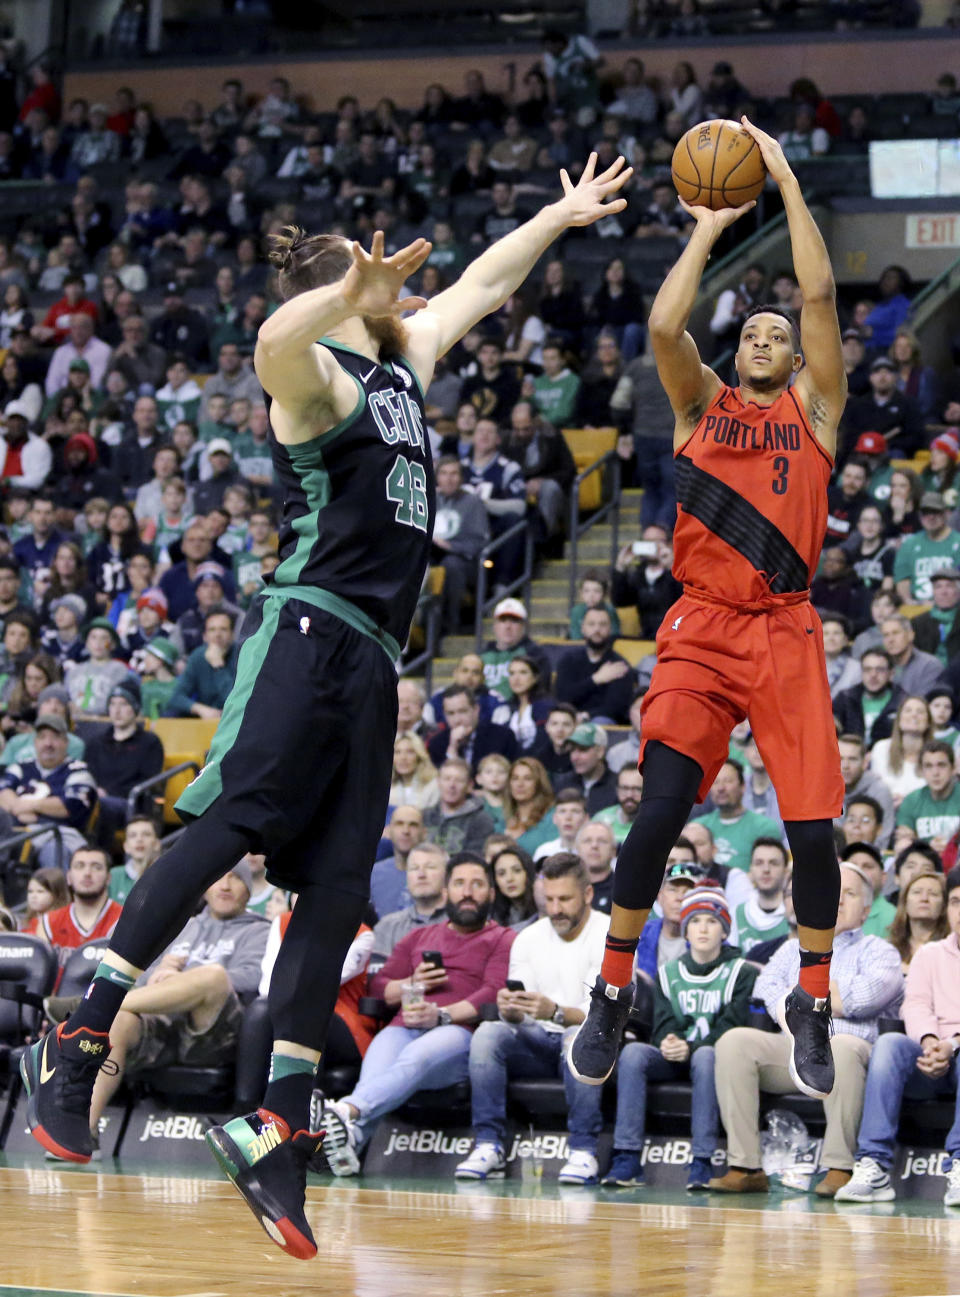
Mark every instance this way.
x=923 y=1064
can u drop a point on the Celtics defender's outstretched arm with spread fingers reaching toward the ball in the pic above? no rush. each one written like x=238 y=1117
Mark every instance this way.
x=487 y=283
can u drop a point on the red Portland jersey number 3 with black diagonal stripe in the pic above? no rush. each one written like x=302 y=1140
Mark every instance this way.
x=752 y=500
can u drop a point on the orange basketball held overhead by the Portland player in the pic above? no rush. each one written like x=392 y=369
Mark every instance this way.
x=718 y=165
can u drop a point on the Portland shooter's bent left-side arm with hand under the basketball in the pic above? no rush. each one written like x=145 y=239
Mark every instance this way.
x=690 y=385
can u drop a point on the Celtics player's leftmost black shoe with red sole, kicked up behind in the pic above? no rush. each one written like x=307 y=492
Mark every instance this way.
x=59 y=1073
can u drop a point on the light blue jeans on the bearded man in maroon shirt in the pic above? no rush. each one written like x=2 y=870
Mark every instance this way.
x=403 y=1060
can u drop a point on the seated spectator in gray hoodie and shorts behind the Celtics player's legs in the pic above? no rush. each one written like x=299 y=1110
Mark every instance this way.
x=187 y=1006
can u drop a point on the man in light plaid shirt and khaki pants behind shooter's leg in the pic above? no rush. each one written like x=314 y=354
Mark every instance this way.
x=866 y=985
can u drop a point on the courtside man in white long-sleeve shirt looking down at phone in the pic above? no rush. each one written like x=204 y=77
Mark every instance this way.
x=552 y=964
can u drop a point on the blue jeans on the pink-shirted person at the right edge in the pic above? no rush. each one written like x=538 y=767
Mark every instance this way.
x=893 y=1077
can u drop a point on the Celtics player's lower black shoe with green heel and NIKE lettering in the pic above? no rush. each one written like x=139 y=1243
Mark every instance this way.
x=268 y=1168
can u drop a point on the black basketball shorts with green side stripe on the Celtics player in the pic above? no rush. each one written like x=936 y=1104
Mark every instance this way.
x=303 y=757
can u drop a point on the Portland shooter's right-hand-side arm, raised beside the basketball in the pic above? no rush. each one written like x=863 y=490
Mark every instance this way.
x=822 y=385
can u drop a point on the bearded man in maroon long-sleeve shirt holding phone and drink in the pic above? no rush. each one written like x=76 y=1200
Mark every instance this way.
x=461 y=964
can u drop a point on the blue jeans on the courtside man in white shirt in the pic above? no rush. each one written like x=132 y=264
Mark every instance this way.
x=501 y=1050
